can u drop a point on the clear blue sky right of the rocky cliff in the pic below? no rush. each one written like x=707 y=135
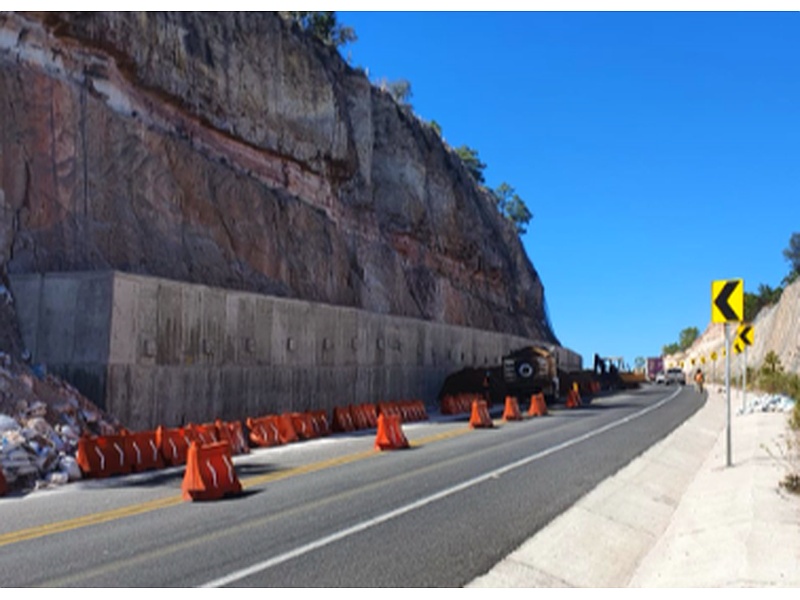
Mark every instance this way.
x=657 y=151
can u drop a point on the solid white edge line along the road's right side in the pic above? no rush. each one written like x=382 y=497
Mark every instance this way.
x=335 y=537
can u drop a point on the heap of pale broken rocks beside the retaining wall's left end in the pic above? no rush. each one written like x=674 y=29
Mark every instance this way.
x=41 y=420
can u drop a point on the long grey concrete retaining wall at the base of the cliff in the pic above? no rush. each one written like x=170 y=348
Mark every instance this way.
x=158 y=352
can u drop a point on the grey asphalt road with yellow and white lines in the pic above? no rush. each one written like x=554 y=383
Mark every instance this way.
x=334 y=512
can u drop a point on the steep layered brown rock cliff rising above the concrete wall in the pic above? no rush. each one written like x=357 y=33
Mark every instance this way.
x=233 y=150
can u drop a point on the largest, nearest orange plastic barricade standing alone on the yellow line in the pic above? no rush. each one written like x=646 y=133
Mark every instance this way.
x=210 y=473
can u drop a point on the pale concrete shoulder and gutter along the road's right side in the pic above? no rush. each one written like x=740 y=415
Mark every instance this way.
x=677 y=516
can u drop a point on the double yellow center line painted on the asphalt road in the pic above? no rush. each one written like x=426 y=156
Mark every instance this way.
x=162 y=503
